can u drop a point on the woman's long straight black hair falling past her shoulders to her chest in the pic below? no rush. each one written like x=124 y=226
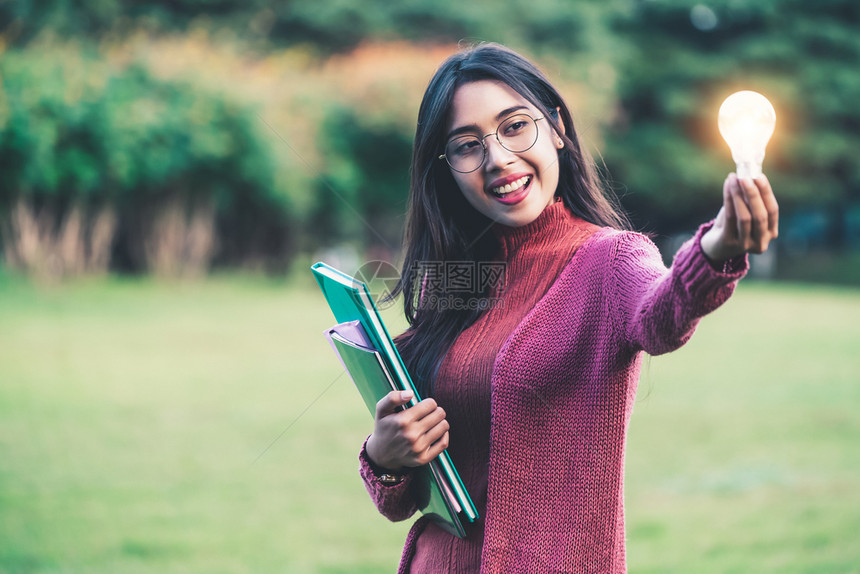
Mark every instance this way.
x=442 y=226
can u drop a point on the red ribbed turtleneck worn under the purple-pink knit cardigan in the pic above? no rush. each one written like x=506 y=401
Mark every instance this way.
x=534 y=255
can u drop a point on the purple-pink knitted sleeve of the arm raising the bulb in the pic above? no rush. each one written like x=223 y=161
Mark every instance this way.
x=657 y=309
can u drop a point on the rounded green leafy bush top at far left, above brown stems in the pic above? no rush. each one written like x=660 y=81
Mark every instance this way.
x=76 y=125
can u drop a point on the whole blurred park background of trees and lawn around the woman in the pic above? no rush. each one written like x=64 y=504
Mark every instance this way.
x=169 y=169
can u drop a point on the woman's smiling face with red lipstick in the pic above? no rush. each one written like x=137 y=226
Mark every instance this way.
x=510 y=188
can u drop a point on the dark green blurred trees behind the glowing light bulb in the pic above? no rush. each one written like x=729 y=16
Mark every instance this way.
x=689 y=55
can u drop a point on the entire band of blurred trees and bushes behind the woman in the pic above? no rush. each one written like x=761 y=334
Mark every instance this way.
x=271 y=112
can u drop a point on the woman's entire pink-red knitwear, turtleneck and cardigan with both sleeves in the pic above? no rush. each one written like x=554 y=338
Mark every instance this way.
x=549 y=483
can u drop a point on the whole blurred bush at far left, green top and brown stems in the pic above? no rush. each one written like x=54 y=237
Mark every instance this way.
x=85 y=143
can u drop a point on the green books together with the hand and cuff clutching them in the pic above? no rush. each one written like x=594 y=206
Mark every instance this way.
x=404 y=465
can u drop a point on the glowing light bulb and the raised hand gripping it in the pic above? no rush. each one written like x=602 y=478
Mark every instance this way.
x=749 y=218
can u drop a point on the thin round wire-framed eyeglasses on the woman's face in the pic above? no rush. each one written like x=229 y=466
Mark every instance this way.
x=516 y=134
